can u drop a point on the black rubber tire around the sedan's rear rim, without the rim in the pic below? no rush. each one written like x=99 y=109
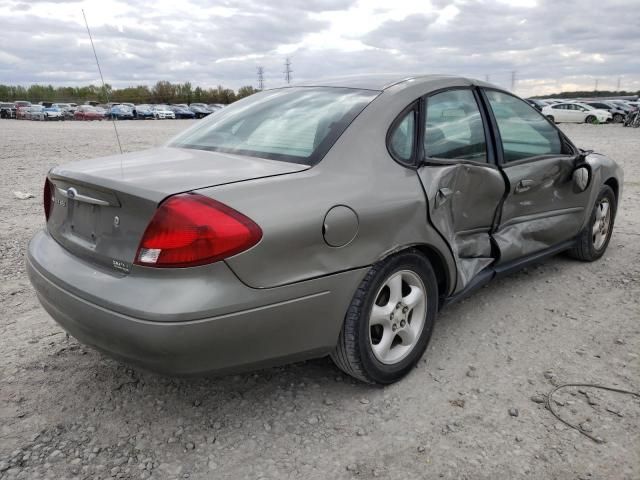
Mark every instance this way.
x=354 y=353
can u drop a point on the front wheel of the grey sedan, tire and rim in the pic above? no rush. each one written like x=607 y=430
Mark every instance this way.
x=594 y=239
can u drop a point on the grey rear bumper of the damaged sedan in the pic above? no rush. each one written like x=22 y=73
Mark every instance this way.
x=235 y=327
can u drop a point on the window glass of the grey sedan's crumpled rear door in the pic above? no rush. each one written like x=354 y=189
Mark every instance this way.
x=454 y=128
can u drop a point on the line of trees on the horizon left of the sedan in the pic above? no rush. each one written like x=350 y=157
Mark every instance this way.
x=162 y=92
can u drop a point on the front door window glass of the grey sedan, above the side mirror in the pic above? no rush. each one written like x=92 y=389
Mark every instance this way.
x=524 y=132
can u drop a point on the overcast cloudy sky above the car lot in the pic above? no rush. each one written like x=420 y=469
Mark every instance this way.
x=552 y=45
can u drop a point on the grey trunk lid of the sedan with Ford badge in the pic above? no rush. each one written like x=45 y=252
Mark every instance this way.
x=101 y=207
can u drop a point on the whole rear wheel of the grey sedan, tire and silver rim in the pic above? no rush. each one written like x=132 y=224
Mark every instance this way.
x=389 y=322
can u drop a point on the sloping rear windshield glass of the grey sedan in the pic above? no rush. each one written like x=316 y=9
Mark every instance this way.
x=292 y=124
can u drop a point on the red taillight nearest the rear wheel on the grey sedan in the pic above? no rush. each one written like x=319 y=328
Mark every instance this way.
x=191 y=229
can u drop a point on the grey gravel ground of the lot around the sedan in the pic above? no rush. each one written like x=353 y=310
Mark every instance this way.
x=470 y=410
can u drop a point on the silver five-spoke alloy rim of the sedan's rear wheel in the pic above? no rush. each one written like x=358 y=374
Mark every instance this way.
x=397 y=317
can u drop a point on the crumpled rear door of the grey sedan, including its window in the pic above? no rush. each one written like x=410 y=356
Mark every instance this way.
x=462 y=182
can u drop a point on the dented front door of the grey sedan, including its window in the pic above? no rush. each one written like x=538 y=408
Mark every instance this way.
x=543 y=208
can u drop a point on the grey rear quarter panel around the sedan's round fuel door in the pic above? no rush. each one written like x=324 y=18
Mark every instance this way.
x=357 y=172
